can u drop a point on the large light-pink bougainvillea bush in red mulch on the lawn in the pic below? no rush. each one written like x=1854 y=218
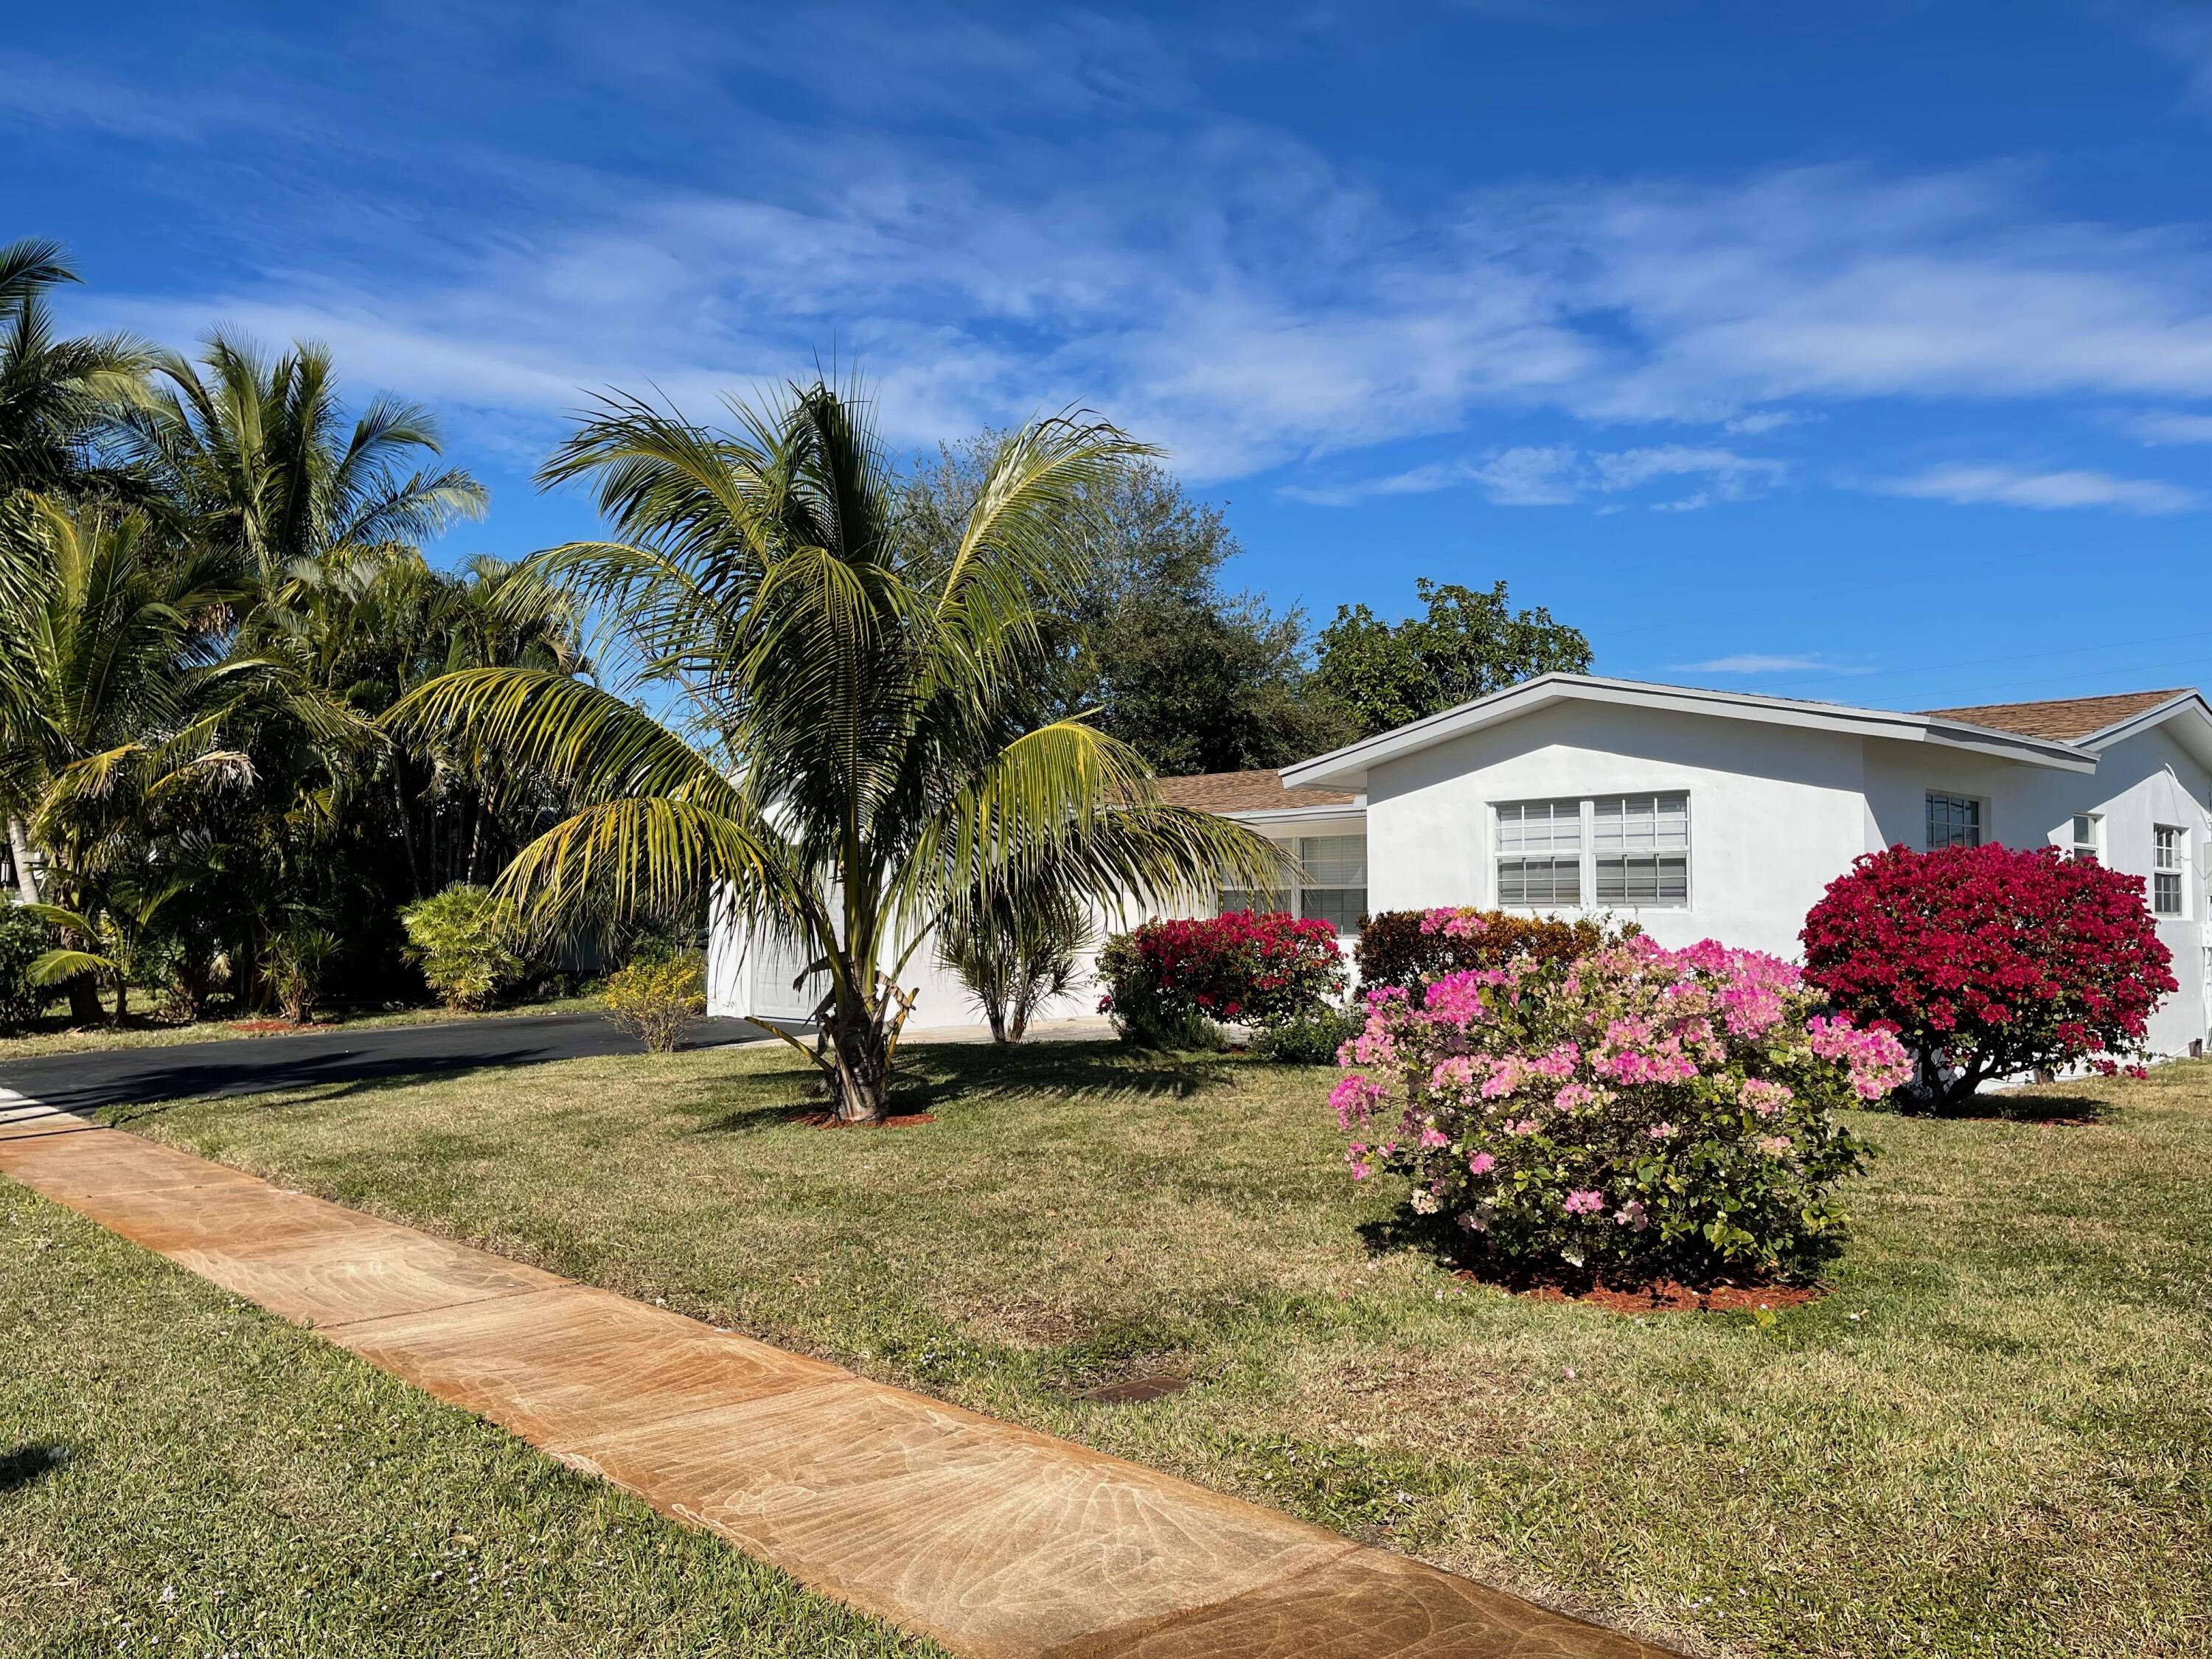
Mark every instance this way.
x=1629 y=1114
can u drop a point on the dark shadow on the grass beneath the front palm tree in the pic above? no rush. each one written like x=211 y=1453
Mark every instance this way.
x=1074 y=1074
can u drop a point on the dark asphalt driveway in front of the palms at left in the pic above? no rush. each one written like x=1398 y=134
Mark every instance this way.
x=258 y=1065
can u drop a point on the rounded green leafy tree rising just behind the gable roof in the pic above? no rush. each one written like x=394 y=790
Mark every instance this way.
x=1470 y=645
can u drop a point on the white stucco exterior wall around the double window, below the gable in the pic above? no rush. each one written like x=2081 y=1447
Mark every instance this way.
x=1775 y=815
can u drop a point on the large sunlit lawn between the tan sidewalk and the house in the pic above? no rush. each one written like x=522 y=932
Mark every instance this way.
x=1992 y=1439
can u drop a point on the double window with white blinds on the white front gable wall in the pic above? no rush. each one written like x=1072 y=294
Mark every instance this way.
x=1636 y=853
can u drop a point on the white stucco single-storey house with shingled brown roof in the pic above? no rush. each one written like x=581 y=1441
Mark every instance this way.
x=1698 y=813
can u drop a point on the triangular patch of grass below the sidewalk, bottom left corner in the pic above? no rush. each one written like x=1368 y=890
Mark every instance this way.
x=238 y=1488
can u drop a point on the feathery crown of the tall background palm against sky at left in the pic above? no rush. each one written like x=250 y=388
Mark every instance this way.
x=258 y=455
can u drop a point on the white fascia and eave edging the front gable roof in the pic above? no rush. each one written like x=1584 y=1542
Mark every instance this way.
x=1348 y=766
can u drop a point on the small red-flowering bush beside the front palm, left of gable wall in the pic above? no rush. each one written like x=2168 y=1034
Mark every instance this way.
x=1169 y=983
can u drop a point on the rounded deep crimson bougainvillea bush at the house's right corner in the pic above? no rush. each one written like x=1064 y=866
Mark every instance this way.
x=1992 y=961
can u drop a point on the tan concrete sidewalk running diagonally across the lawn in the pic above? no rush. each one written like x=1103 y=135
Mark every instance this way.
x=985 y=1536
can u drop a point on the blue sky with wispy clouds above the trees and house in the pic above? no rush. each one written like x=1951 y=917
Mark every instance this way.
x=1853 y=353
